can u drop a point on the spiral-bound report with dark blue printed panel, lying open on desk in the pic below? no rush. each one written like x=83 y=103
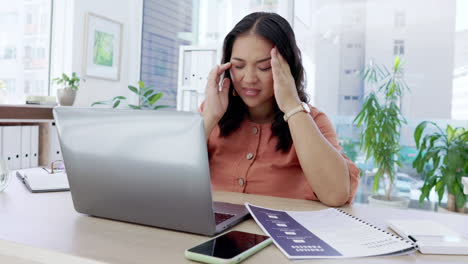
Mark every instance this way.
x=329 y=233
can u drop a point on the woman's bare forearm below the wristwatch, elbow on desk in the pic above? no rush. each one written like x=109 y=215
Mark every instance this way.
x=324 y=167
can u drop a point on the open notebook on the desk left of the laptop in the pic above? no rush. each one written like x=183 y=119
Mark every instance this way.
x=39 y=180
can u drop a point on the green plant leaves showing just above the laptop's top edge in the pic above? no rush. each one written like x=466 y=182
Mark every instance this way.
x=147 y=98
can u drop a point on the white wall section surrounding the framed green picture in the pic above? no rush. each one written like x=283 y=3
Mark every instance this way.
x=130 y=14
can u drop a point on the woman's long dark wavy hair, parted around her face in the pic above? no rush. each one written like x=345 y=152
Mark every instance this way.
x=277 y=30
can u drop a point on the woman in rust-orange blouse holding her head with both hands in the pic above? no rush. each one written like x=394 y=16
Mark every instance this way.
x=262 y=136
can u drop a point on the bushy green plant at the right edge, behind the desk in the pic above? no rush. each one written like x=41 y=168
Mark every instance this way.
x=443 y=161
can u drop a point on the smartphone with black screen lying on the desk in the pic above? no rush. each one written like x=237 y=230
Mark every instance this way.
x=229 y=245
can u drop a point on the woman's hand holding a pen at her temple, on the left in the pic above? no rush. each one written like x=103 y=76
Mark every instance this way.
x=216 y=100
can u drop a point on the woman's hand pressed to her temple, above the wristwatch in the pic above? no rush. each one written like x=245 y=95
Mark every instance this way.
x=283 y=83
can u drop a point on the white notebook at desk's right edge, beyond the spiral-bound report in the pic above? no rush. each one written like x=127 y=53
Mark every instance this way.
x=431 y=237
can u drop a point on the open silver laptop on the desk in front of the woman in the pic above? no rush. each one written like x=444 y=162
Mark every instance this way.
x=145 y=167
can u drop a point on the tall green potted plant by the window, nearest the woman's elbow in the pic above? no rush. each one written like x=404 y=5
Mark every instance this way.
x=381 y=120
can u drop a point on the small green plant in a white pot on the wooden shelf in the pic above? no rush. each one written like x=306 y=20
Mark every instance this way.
x=67 y=94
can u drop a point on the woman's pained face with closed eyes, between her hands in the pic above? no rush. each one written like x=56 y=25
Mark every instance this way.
x=251 y=70
